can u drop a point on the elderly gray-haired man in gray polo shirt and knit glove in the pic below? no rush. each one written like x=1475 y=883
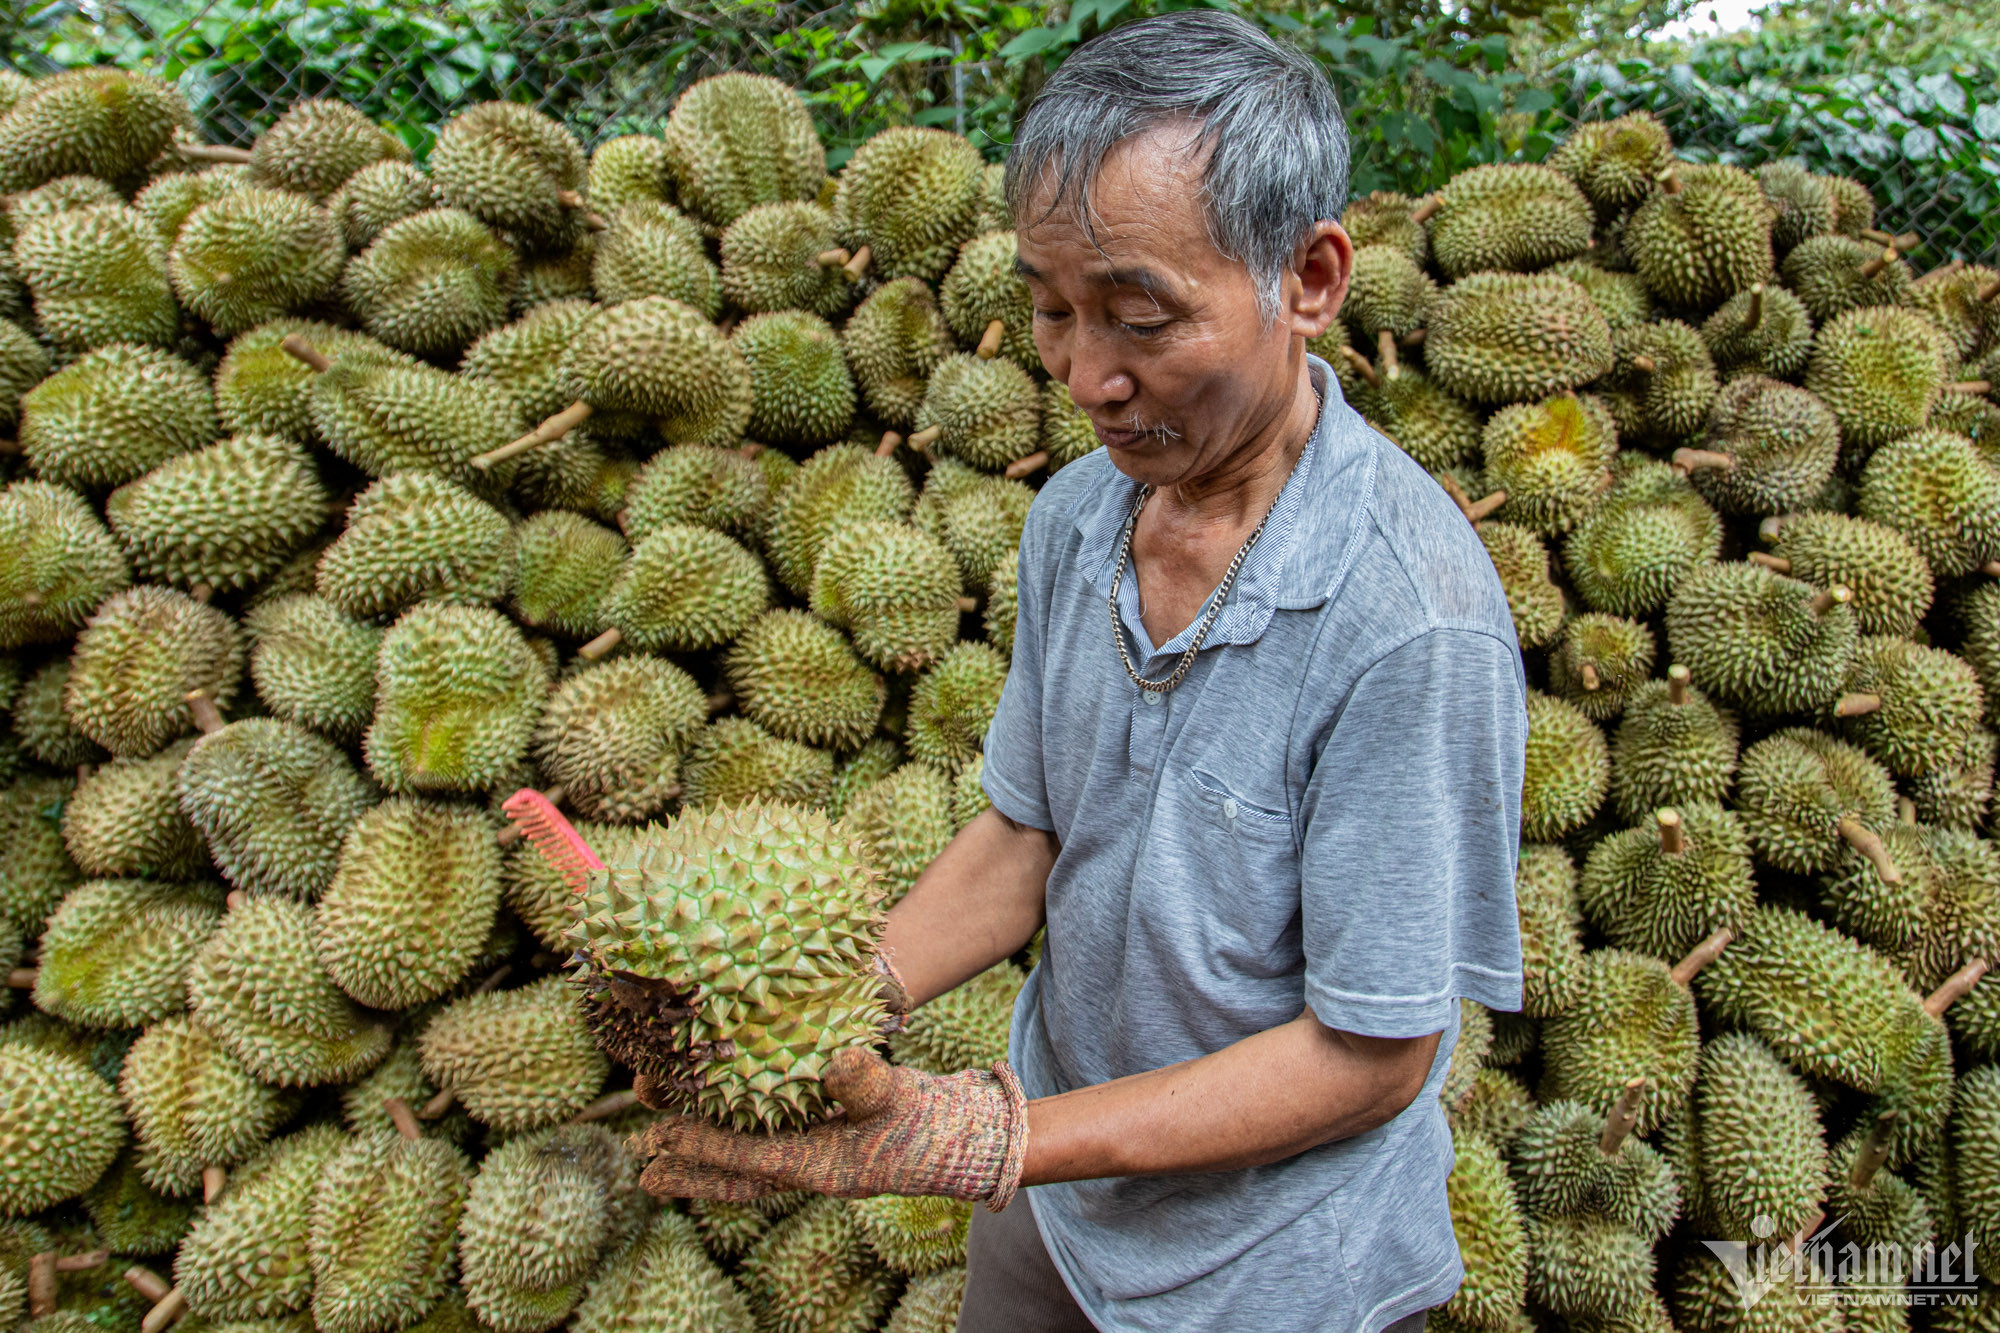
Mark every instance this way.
x=1257 y=768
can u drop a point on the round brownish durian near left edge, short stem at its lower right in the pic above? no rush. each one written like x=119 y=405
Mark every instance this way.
x=137 y=661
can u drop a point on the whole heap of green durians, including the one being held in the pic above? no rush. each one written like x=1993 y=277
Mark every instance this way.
x=681 y=483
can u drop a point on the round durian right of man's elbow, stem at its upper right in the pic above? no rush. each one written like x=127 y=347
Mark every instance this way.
x=1631 y=1018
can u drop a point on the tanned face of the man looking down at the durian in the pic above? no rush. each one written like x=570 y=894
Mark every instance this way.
x=1155 y=331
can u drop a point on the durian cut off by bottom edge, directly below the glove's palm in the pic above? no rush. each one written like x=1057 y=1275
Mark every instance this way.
x=815 y=1274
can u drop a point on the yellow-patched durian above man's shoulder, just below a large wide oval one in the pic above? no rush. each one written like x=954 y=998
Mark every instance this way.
x=1551 y=459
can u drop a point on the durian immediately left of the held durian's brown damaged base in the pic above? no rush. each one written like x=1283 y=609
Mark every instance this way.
x=515 y=1060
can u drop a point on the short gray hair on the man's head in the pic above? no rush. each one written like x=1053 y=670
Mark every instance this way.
x=1267 y=115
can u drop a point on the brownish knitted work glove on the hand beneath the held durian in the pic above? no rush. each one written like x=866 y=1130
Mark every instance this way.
x=901 y=1132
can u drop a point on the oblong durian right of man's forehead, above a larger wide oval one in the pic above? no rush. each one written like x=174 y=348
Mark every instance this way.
x=1509 y=219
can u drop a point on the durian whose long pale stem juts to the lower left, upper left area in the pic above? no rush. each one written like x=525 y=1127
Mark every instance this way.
x=661 y=359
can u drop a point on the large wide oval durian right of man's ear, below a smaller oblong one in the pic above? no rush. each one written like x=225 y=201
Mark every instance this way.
x=1505 y=337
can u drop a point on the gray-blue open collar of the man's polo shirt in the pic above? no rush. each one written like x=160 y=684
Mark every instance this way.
x=1307 y=543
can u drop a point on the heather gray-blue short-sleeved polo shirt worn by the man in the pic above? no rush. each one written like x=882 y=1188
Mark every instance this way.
x=1323 y=814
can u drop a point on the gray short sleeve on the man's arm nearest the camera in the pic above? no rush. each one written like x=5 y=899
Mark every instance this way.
x=1411 y=836
